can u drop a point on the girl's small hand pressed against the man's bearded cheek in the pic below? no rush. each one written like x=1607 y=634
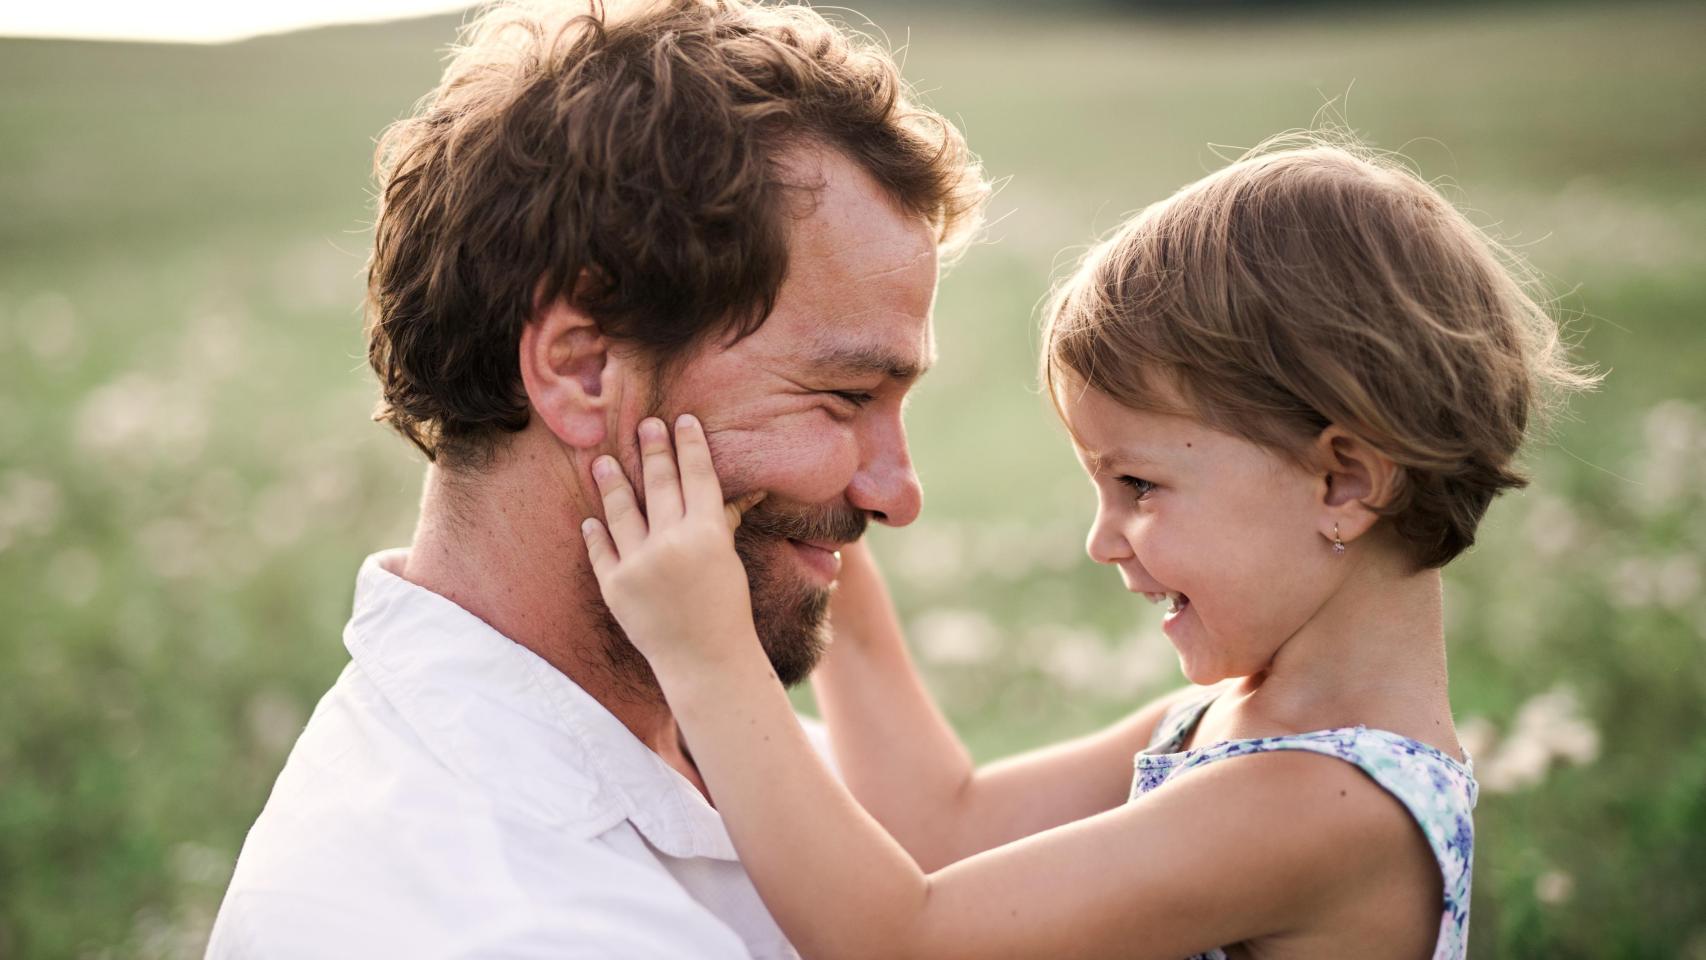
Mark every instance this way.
x=671 y=575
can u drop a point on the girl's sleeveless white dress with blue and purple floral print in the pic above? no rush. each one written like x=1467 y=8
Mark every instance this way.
x=1437 y=790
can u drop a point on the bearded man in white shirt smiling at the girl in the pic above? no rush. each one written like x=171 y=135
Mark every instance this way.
x=697 y=205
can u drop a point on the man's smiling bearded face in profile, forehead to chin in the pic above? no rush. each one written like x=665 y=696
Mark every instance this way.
x=808 y=410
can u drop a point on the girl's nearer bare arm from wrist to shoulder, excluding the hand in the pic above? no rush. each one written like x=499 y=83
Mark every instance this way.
x=1234 y=852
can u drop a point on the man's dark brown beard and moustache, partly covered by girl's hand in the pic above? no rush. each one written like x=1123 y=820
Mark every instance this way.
x=791 y=616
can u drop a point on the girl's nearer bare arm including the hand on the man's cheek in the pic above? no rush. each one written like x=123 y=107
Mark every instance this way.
x=1238 y=850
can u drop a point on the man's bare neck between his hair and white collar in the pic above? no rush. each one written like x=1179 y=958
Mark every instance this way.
x=506 y=548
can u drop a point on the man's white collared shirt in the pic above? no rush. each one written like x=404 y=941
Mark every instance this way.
x=455 y=795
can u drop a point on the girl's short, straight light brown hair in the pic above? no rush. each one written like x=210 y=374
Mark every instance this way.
x=1311 y=284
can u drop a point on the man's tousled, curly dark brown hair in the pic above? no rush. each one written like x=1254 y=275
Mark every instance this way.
x=630 y=161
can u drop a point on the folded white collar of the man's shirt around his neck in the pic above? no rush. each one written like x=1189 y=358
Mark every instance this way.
x=501 y=717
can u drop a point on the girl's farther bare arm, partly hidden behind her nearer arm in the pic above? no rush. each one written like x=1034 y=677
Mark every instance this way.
x=907 y=766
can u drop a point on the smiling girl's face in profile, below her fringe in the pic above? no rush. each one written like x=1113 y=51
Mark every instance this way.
x=1222 y=533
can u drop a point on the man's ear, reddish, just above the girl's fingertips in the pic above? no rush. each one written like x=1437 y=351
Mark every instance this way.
x=567 y=373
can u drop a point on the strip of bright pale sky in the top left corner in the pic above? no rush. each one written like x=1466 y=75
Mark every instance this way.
x=199 y=21
